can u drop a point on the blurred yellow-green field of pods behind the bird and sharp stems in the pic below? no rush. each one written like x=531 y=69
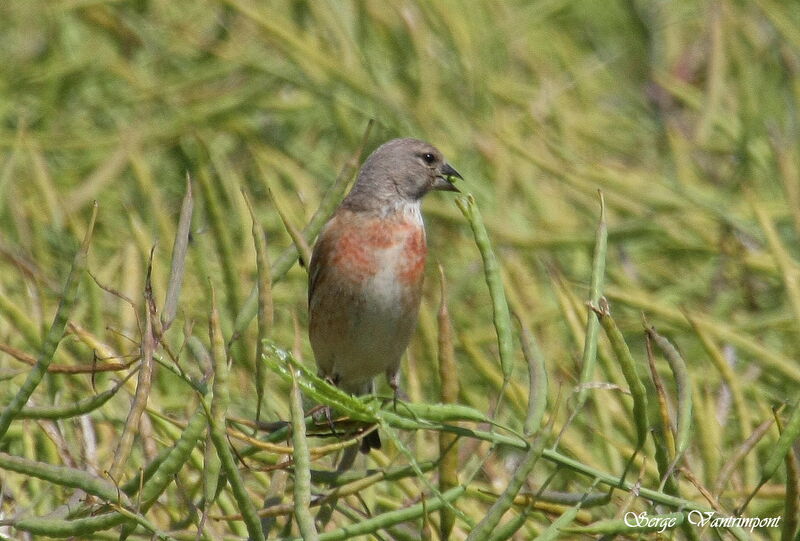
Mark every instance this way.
x=684 y=115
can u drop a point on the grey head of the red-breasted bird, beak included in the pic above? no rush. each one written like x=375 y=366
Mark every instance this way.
x=398 y=172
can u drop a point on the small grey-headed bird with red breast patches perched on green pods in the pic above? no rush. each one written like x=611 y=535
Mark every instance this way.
x=367 y=270
